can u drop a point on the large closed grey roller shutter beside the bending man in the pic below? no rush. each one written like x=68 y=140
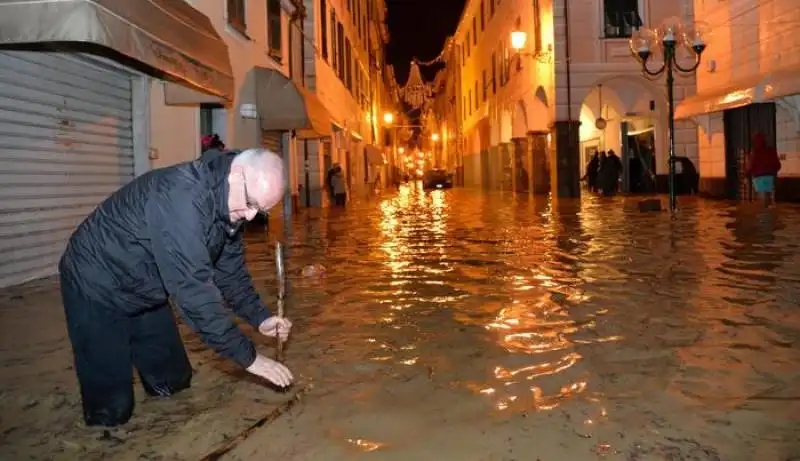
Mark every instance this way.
x=66 y=143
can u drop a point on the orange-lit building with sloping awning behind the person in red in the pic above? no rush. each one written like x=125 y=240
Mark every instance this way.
x=748 y=83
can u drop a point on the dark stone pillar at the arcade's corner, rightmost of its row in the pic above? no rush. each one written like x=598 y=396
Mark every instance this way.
x=565 y=159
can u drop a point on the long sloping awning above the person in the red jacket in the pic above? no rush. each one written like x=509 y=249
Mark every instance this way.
x=763 y=88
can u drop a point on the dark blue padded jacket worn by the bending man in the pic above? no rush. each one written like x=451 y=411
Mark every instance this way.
x=168 y=234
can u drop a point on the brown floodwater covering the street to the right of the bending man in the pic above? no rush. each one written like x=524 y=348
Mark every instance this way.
x=461 y=325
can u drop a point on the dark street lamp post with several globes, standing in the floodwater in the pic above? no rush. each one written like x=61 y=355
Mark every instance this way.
x=667 y=39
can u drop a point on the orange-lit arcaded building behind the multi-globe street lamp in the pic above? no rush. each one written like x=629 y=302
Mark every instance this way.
x=530 y=111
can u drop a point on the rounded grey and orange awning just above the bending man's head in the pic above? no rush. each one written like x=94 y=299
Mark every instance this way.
x=283 y=106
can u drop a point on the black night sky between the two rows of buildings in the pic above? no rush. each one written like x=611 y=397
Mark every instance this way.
x=419 y=28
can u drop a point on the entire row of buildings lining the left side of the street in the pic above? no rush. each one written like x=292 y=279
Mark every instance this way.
x=94 y=93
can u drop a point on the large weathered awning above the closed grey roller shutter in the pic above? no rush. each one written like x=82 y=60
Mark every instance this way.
x=173 y=40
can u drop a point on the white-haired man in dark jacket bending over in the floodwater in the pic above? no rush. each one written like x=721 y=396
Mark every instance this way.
x=173 y=232
